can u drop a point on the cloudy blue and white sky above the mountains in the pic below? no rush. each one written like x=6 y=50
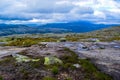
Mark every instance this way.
x=55 y=11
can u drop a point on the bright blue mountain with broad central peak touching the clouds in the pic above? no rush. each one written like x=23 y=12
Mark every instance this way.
x=77 y=27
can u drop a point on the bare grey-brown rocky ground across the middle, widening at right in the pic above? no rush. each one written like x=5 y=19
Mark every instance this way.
x=105 y=55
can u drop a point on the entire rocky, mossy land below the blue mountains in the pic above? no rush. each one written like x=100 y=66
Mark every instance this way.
x=70 y=56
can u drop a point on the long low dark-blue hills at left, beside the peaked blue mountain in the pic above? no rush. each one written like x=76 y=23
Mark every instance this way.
x=23 y=29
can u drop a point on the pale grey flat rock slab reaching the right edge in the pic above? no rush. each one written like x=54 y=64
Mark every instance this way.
x=107 y=59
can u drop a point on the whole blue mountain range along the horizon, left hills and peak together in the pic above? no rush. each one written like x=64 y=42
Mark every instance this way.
x=75 y=27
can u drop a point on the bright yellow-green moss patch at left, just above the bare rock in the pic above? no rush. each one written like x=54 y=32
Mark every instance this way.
x=28 y=41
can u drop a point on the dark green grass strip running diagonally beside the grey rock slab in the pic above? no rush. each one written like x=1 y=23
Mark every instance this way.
x=90 y=70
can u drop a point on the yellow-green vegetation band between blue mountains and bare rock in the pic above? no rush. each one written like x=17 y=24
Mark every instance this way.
x=110 y=34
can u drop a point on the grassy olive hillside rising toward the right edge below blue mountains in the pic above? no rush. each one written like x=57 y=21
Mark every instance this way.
x=107 y=34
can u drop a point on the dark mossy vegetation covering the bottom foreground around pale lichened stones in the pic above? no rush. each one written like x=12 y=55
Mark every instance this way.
x=38 y=70
